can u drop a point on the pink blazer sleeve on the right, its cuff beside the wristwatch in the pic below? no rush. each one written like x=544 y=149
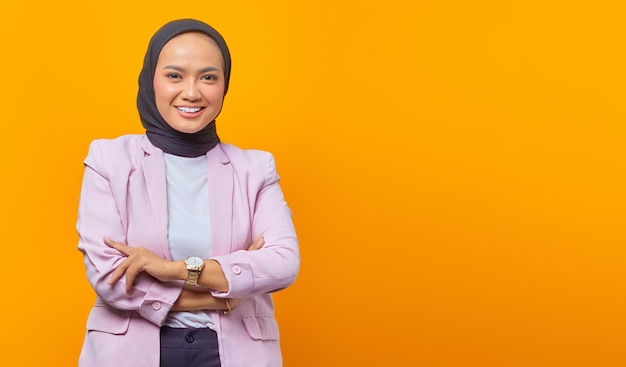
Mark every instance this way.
x=276 y=265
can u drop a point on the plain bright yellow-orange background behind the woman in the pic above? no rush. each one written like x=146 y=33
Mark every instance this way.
x=455 y=168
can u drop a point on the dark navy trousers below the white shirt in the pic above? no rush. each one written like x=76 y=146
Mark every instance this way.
x=189 y=348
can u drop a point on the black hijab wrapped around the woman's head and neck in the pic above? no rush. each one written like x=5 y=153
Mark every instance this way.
x=158 y=131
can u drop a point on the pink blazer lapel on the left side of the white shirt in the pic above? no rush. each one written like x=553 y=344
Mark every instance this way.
x=156 y=184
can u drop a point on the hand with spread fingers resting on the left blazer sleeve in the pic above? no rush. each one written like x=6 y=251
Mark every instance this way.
x=140 y=259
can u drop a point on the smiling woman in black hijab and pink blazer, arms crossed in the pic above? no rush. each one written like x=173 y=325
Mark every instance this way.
x=184 y=237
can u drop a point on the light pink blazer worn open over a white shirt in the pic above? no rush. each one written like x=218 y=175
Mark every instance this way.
x=124 y=198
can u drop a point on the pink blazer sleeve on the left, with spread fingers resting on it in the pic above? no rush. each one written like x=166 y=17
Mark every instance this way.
x=102 y=214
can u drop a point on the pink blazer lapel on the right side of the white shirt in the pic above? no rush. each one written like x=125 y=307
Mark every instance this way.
x=221 y=187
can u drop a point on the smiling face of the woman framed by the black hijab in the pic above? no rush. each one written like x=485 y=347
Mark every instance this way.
x=189 y=82
